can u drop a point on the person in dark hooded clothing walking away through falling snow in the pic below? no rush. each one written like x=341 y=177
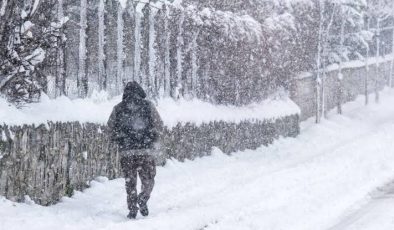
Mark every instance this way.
x=135 y=126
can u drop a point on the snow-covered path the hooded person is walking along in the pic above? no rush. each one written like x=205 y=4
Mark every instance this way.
x=309 y=182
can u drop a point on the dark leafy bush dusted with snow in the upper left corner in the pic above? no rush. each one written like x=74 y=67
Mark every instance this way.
x=29 y=39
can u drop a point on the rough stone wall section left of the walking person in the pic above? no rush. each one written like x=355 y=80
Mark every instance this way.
x=49 y=161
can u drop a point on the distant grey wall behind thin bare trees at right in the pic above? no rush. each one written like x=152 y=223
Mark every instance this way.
x=303 y=89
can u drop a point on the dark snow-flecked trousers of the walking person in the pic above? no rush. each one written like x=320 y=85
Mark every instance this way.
x=145 y=167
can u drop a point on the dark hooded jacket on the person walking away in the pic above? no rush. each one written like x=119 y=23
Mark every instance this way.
x=134 y=123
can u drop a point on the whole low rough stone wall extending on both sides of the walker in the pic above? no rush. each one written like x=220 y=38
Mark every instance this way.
x=47 y=162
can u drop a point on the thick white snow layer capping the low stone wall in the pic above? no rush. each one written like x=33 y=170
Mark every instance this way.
x=97 y=109
